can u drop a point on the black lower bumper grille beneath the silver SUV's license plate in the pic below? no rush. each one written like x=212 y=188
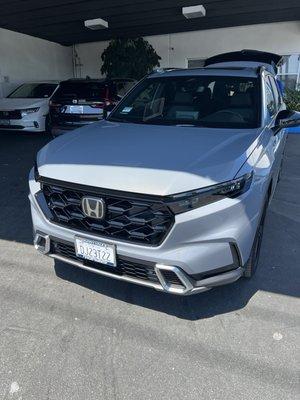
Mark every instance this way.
x=125 y=267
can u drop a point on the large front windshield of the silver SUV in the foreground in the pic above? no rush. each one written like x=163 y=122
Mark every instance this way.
x=212 y=101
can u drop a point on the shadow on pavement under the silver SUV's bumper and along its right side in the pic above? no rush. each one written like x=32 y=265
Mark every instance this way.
x=278 y=270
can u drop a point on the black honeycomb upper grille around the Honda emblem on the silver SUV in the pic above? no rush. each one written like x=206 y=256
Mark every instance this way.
x=134 y=219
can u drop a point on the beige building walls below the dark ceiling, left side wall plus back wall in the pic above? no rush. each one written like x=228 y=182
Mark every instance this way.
x=25 y=58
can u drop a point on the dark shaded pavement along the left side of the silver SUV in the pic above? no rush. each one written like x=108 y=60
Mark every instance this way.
x=17 y=156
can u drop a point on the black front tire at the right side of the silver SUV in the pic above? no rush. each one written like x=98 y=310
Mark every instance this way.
x=251 y=265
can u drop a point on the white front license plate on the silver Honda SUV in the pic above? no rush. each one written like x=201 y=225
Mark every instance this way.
x=94 y=250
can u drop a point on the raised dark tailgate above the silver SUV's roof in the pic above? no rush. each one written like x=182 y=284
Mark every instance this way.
x=275 y=60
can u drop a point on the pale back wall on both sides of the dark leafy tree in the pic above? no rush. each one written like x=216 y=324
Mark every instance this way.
x=176 y=49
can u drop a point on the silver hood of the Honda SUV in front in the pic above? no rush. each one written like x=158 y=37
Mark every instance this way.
x=150 y=159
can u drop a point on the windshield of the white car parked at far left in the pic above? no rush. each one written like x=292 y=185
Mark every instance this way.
x=33 y=91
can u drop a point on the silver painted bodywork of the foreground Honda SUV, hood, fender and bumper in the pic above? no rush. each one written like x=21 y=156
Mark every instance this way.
x=161 y=160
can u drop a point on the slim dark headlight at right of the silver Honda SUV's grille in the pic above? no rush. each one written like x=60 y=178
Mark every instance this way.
x=187 y=201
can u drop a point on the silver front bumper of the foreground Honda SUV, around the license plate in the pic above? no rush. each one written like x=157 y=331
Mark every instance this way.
x=209 y=245
